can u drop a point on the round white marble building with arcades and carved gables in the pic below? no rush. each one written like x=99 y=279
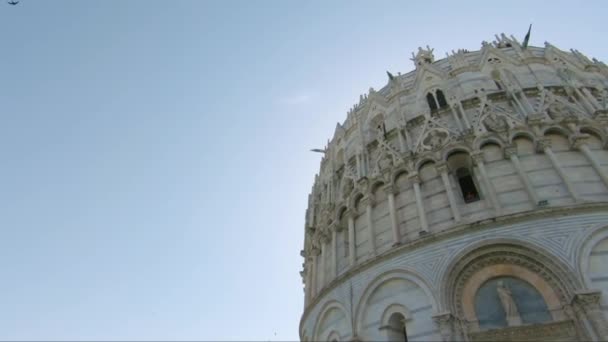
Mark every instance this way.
x=466 y=200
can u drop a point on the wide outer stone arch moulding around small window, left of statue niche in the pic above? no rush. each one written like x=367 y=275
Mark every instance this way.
x=385 y=277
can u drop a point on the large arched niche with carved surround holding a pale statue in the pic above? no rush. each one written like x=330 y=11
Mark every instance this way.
x=524 y=270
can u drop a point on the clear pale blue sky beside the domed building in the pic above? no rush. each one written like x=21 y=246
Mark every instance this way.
x=154 y=155
